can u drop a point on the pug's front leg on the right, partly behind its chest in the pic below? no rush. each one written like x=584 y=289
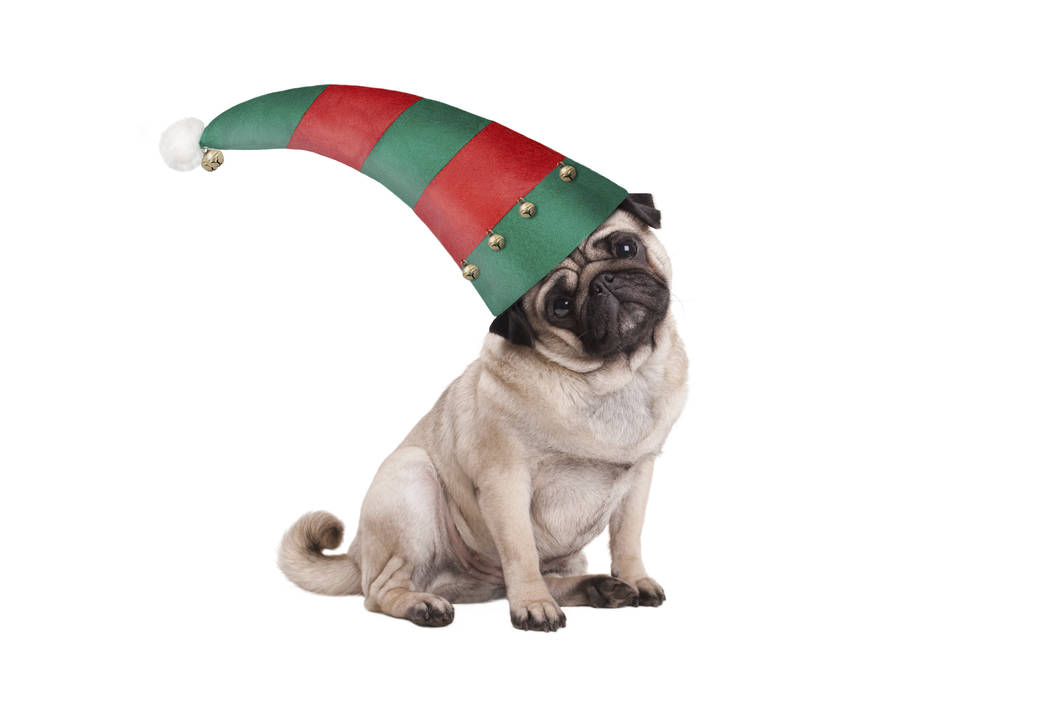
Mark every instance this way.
x=625 y=537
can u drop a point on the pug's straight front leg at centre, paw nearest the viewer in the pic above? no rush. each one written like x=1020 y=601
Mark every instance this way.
x=505 y=498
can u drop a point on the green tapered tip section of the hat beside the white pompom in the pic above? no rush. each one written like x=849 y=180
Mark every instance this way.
x=267 y=122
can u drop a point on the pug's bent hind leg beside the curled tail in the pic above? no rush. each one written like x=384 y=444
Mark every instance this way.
x=400 y=538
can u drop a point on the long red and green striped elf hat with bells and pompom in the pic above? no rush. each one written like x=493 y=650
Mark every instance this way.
x=508 y=209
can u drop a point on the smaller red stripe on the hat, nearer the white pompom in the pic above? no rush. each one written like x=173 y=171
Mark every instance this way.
x=346 y=121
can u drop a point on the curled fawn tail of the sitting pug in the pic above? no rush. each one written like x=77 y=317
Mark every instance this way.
x=305 y=564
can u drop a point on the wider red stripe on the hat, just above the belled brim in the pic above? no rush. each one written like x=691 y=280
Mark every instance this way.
x=480 y=185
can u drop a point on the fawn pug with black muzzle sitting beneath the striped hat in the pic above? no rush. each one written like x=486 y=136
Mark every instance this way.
x=544 y=441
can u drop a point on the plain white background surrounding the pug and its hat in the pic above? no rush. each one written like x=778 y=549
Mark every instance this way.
x=855 y=196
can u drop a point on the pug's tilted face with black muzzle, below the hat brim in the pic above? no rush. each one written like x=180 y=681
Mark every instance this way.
x=606 y=300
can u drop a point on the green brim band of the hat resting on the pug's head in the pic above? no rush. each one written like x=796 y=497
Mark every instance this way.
x=566 y=214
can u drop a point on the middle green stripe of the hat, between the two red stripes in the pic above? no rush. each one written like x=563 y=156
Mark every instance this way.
x=418 y=145
